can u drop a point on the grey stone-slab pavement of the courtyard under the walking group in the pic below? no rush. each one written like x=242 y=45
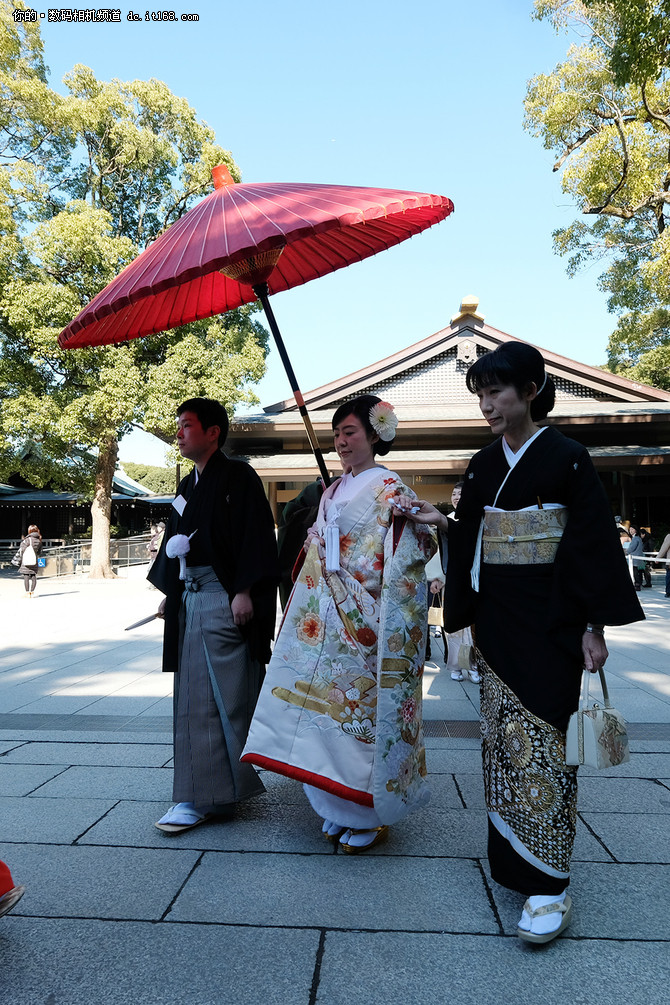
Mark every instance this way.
x=263 y=911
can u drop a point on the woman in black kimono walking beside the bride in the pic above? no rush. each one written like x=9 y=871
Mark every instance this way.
x=535 y=563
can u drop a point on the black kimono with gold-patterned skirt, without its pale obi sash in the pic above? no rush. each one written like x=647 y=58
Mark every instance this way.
x=530 y=620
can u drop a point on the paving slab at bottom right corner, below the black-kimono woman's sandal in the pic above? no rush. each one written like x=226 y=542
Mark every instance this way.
x=397 y=969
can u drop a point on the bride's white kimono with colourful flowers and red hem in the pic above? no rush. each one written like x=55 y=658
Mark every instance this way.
x=341 y=706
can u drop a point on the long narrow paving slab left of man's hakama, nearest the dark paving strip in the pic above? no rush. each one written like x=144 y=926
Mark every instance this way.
x=106 y=754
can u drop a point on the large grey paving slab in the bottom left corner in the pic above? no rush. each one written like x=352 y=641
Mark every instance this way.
x=132 y=963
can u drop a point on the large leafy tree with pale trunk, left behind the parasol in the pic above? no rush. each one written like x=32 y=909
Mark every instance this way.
x=88 y=179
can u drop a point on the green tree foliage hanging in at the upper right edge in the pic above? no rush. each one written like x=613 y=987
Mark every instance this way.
x=605 y=112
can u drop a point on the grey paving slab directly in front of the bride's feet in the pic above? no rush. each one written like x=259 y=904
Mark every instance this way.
x=338 y=892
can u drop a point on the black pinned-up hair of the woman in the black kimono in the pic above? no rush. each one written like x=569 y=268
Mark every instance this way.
x=521 y=365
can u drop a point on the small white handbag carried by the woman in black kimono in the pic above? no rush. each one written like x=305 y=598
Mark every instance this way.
x=597 y=734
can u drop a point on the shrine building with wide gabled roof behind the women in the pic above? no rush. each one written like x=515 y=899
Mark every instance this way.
x=624 y=425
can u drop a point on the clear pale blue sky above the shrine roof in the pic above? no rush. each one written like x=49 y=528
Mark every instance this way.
x=425 y=97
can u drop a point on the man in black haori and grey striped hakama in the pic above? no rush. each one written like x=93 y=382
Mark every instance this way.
x=218 y=569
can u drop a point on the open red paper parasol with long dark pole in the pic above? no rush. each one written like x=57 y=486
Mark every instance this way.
x=247 y=242
